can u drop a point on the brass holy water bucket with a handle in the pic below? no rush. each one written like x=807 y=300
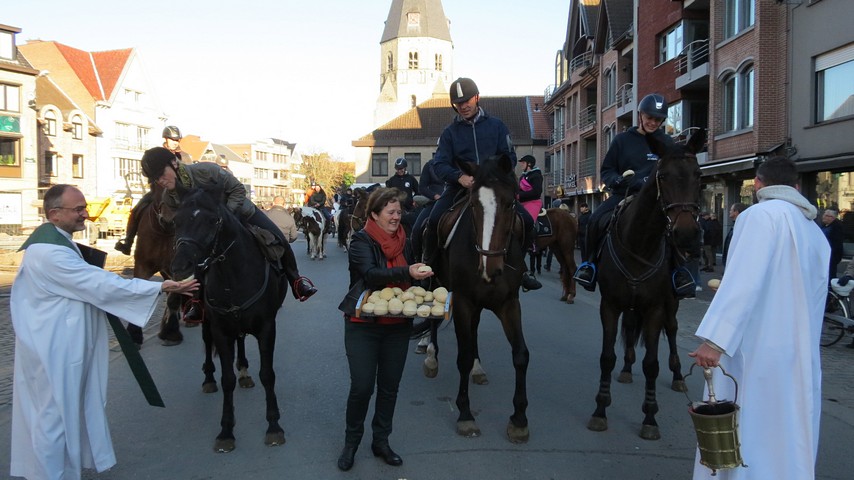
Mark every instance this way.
x=716 y=425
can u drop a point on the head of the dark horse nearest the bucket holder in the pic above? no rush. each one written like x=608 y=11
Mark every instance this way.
x=677 y=180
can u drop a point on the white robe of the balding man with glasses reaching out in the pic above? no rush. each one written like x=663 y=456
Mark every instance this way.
x=59 y=422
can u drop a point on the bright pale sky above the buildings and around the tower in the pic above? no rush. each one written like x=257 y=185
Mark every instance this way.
x=300 y=70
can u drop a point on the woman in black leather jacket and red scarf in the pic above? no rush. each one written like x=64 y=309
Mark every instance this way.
x=379 y=257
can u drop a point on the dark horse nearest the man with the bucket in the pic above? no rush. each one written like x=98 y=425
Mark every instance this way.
x=635 y=273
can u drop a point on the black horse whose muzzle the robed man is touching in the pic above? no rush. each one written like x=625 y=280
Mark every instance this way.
x=242 y=294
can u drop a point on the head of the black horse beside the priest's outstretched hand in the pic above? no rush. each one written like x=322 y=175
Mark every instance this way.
x=198 y=225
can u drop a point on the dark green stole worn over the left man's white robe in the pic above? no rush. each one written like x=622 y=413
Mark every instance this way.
x=48 y=233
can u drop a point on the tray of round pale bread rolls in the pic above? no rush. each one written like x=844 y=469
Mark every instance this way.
x=412 y=302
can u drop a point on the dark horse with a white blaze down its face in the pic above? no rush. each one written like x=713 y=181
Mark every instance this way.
x=486 y=272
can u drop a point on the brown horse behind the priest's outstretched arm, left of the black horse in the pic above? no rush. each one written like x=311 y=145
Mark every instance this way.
x=155 y=247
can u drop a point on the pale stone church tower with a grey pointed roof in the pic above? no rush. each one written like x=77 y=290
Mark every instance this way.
x=416 y=57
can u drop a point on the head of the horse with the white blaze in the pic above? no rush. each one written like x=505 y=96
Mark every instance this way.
x=493 y=205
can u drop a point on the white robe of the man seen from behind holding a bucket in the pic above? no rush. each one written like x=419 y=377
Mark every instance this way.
x=767 y=317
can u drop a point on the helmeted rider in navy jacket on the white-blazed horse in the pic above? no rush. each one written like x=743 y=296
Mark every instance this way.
x=473 y=137
